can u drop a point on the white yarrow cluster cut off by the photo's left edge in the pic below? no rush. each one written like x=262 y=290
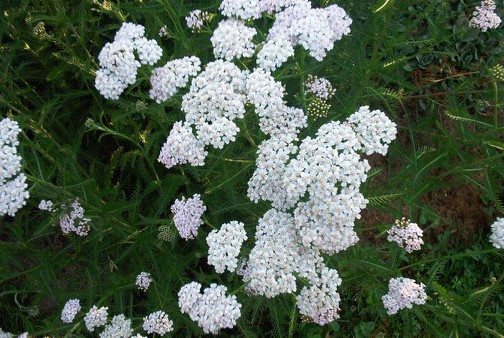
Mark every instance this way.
x=13 y=192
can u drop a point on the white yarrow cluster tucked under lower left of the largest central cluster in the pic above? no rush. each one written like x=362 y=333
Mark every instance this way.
x=277 y=255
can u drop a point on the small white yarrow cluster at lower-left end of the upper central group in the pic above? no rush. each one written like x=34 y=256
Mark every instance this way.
x=182 y=147
